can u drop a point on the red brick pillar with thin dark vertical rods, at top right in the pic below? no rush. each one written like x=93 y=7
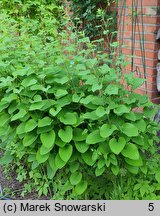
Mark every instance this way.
x=137 y=31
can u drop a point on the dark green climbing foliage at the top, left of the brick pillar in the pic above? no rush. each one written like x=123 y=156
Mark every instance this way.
x=95 y=18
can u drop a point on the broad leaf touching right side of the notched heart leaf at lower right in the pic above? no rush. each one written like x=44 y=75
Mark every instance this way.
x=131 y=151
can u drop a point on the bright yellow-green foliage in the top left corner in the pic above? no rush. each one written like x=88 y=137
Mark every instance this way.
x=45 y=16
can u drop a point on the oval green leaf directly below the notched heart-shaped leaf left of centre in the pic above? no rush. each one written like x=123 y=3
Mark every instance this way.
x=66 y=152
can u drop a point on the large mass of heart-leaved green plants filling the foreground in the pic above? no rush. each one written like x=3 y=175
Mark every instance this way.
x=67 y=123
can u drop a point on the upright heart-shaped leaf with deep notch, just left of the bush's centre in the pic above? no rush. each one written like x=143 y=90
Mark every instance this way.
x=66 y=134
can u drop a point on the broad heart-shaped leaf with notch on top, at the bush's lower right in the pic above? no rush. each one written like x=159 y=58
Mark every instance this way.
x=117 y=145
